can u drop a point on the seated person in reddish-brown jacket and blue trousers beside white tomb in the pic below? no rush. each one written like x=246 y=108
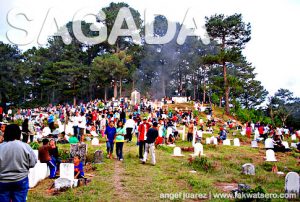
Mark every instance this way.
x=44 y=157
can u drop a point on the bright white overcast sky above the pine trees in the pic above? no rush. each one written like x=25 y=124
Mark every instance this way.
x=273 y=49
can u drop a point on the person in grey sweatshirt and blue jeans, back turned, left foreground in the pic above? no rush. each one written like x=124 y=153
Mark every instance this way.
x=16 y=158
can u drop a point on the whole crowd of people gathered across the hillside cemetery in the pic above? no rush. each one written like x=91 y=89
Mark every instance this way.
x=115 y=122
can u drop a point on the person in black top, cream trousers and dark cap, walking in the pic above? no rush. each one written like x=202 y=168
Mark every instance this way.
x=151 y=135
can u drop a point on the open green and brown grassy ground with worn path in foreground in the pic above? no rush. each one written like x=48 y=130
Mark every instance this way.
x=219 y=172
